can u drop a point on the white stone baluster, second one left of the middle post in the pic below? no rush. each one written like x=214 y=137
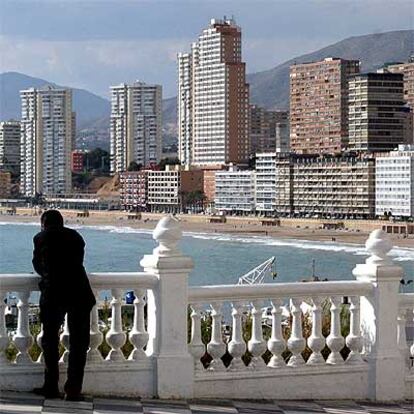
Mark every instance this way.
x=116 y=337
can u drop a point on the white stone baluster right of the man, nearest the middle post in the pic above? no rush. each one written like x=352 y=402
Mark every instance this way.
x=138 y=335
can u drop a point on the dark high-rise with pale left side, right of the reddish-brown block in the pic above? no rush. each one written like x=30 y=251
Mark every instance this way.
x=377 y=112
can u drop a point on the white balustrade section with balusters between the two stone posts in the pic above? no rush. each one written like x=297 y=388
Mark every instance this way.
x=288 y=302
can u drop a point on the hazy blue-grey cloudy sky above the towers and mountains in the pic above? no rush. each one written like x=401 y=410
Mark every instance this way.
x=93 y=44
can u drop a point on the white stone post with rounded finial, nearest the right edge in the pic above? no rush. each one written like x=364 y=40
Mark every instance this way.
x=379 y=314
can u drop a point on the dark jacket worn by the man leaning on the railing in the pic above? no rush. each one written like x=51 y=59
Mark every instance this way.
x=58 y=258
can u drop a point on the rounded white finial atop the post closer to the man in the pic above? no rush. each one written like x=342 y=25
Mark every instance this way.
x=167 y=233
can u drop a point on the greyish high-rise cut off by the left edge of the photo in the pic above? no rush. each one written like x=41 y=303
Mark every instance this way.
x=10 y=147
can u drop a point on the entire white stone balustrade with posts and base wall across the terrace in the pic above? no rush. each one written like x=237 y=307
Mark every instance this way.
x=284 y=341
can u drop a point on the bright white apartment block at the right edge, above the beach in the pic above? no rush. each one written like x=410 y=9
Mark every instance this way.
x=394 y=182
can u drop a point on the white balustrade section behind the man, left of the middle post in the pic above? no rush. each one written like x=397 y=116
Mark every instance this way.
x=115 y=335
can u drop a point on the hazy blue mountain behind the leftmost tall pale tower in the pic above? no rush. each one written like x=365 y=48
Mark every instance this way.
x=88 y=106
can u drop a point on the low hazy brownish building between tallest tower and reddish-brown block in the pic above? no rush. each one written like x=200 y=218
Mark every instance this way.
x=269 y=130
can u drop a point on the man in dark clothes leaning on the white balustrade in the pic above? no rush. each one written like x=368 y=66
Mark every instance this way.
x=64 y=286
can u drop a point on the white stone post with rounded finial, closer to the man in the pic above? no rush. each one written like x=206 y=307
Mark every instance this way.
x=167 y=313
